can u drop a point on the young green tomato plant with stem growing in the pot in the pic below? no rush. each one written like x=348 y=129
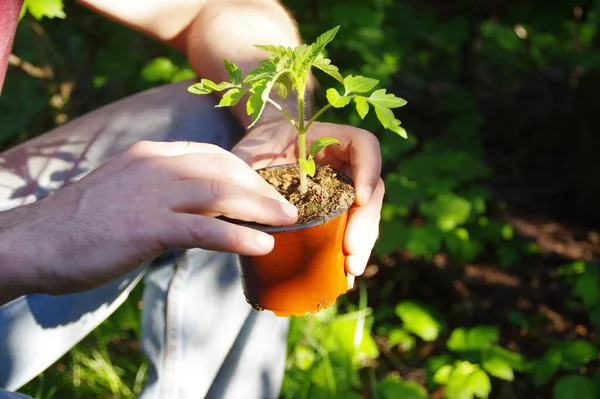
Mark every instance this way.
x=287 y=71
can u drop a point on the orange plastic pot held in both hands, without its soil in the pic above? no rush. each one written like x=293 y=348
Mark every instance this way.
x=305 y=271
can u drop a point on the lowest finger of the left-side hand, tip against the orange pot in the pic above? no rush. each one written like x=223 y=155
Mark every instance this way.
x=183 y=230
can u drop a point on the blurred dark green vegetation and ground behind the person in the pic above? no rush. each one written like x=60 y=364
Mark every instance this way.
x=485 y=281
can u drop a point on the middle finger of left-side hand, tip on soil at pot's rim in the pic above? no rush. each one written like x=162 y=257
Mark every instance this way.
x=215 y=197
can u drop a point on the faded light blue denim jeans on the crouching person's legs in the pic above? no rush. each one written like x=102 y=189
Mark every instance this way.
x=201 y=337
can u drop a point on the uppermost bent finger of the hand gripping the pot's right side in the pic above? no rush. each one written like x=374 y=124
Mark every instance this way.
x=361 y=150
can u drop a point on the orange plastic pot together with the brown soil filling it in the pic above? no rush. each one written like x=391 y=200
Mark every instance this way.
x=305 y=272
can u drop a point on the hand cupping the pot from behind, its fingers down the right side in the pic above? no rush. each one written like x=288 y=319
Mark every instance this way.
x=358 y=156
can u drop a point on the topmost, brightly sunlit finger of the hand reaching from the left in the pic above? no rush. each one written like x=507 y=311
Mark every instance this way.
x=223 y=166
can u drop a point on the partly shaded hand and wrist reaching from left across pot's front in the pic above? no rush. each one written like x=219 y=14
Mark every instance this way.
x=151 y=197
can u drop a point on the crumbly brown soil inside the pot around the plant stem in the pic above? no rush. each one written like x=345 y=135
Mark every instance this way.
x=327 y=193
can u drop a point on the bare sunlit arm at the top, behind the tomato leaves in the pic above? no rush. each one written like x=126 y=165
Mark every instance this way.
x=208 y=31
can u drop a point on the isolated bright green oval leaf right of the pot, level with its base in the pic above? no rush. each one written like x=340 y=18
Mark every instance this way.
x=419 y=320
